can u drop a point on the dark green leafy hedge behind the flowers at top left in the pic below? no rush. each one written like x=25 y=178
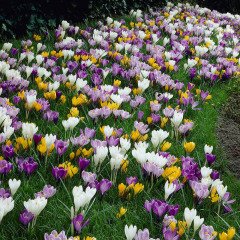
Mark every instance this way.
x=20 y=17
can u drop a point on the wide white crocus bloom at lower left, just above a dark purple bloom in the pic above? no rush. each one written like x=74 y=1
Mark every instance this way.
x=35 y=206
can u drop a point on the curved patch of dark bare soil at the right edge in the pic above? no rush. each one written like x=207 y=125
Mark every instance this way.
x=228 y=132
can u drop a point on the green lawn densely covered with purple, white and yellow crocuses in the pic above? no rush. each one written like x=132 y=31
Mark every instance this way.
x=131 y=105
